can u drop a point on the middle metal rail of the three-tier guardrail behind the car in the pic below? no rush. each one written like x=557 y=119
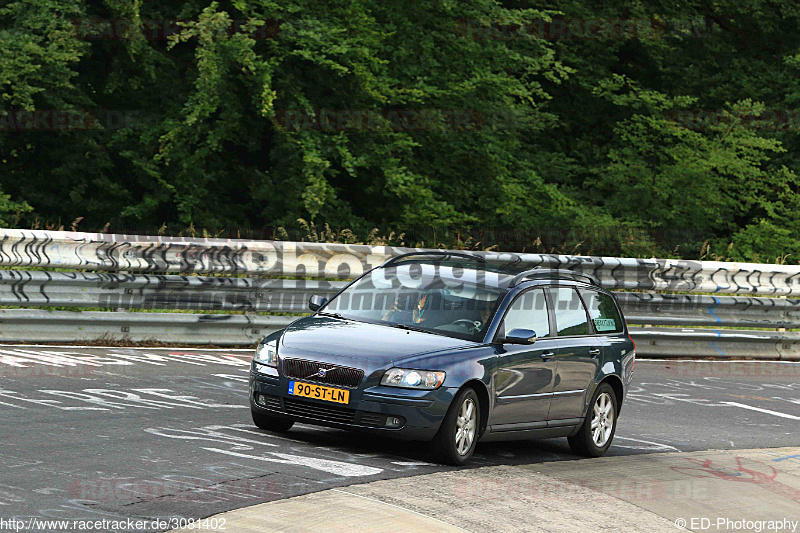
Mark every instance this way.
x=128 y=291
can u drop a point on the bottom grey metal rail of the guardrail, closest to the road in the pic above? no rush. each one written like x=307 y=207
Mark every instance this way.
x=33 y=325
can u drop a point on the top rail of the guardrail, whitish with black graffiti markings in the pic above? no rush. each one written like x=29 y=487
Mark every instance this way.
x=101 y=252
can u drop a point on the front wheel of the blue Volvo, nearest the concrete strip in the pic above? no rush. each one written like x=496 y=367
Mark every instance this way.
x=455 y=441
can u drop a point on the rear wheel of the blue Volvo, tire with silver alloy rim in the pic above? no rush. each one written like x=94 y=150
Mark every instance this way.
x=599 y=426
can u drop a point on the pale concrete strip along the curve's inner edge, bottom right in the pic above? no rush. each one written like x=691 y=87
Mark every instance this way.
x=654 y=492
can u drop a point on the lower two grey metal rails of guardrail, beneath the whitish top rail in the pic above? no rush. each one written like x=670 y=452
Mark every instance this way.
x=252 y=295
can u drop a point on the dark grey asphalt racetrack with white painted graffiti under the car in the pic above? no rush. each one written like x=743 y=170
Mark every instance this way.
x=116 y=433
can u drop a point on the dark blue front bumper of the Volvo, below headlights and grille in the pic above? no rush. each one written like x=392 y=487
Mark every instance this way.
x=369 y=408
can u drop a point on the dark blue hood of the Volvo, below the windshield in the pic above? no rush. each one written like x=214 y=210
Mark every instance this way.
x=359 y=344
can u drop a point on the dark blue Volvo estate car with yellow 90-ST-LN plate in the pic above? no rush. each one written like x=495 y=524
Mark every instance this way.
x=445 y=348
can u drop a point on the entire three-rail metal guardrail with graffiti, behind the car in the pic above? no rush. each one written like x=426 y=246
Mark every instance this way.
x=131 y=272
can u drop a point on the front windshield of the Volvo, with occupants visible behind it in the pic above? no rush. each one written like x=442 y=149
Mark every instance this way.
x=446 y=300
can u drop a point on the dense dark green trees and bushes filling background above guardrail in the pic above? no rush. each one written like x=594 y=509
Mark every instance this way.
x=634 y=128
